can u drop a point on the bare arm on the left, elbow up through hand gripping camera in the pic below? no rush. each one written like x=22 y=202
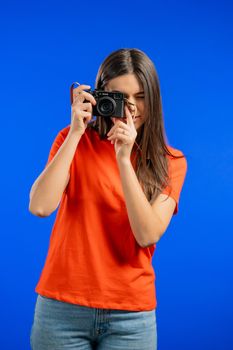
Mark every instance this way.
x=47 y=190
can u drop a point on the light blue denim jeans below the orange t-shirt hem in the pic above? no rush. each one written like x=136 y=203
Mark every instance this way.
x=59 y=325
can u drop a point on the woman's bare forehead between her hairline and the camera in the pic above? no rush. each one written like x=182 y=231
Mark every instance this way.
x=128 y=84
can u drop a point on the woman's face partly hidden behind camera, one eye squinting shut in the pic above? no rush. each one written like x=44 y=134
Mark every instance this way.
x=130 y=86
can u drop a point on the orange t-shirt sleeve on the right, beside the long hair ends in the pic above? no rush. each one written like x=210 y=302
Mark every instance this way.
x=177 y=173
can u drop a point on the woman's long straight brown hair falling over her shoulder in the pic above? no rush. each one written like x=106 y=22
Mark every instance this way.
x=151 y=160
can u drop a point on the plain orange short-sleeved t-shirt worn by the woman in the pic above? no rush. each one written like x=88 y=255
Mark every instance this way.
x=93 y=258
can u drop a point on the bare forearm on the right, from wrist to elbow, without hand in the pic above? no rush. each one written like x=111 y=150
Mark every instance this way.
x=143 y=220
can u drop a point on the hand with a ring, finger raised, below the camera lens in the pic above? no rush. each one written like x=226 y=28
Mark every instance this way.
x=123 y=136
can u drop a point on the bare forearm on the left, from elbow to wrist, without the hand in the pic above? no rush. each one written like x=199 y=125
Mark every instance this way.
x=48 y=188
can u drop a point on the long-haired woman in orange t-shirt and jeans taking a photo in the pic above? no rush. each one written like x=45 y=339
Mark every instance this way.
x=118 y=184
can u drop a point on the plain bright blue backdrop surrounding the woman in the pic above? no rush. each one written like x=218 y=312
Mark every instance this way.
x=45 y=46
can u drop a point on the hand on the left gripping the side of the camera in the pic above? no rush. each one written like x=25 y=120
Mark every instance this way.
x=81 y=113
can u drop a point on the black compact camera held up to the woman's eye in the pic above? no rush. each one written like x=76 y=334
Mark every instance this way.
x=108 y=104
